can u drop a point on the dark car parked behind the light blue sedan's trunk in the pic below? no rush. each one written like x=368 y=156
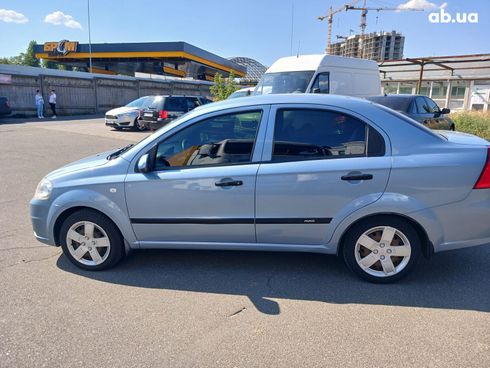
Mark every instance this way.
x=418 y=107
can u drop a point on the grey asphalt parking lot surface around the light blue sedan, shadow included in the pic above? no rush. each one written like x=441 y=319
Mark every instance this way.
x=216 y=309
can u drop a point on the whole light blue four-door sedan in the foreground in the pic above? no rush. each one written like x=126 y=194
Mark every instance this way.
x=313 y=173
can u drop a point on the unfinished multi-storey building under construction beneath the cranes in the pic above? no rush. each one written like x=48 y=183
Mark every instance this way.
x=378 y=46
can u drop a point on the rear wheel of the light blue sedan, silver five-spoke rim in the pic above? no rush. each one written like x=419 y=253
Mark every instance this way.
x=374 y=259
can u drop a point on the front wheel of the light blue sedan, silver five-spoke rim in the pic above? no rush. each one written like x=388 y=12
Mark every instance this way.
x=81 y=241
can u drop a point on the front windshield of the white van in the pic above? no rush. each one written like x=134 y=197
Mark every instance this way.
x=284 y=82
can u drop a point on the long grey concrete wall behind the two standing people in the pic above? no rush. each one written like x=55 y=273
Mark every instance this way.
x=84 y=93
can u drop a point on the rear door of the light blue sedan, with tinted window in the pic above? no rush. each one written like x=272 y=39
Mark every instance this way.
x=317 y=168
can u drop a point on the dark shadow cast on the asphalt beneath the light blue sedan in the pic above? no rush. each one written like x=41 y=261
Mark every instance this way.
x=450 y=280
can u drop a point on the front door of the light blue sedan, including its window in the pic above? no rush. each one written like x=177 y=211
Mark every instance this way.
x=202 y=185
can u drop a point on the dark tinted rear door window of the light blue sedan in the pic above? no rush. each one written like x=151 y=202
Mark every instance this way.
x=301 y=134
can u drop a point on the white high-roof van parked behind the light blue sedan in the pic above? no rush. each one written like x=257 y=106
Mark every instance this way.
x=321 y=74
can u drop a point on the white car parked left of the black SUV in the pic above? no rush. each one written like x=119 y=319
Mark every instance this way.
x=128 y=116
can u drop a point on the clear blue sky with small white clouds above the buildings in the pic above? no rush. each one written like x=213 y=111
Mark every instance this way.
x=261 y=29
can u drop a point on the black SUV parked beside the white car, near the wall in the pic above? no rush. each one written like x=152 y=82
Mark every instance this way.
x=164 y=109
